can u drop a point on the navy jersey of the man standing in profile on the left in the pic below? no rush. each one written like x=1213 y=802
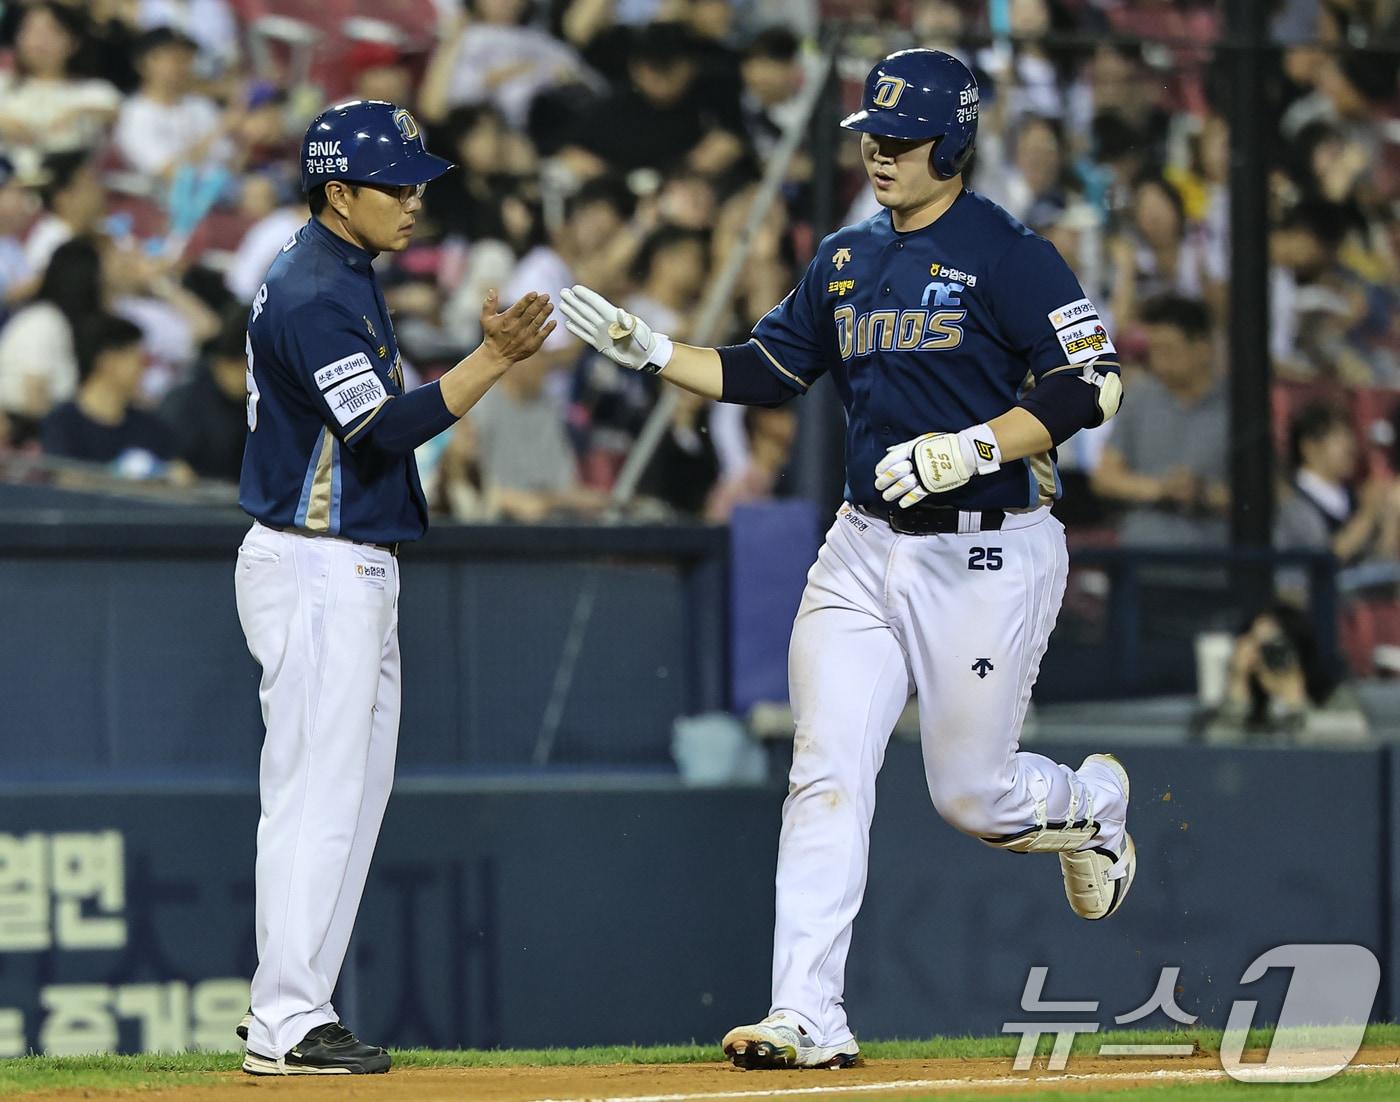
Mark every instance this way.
x=323 y=362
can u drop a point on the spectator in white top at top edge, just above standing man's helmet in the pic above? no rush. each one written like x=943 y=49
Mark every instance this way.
x=492 y=58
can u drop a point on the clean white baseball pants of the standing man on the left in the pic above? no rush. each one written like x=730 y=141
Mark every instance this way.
x=321 y=617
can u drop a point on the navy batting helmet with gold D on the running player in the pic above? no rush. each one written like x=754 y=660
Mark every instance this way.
x=918 y=96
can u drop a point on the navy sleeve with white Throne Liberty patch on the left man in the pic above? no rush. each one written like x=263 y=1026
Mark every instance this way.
x=334 y=359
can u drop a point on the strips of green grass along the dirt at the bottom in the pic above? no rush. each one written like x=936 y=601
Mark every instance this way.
x=47 y=1073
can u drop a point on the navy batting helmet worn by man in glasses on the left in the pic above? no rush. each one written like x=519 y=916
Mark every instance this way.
x=367 y=142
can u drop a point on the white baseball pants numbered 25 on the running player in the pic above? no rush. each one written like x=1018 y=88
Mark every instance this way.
x=884 y=615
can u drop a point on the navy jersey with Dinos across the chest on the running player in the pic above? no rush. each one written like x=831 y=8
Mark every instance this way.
x=934 y=331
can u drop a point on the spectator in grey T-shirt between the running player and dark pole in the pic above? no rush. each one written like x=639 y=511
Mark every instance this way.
x=1165 y=461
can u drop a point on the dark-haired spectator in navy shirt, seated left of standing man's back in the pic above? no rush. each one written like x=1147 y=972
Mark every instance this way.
x=101 y=425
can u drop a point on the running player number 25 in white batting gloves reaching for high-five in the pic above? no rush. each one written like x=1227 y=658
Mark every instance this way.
x=965 y=351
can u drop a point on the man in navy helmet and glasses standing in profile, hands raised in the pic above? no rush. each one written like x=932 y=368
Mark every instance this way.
x=334 y=491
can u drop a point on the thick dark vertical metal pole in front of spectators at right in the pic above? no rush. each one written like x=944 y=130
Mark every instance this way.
x=1252 y=484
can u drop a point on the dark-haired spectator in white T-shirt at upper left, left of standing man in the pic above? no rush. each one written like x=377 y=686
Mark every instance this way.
x=167 y=125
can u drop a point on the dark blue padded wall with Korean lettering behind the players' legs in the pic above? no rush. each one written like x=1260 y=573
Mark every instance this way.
x=538 y=914
